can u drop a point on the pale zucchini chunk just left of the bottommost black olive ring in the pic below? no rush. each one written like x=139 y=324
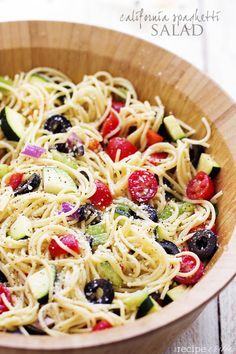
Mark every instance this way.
x=39 y=282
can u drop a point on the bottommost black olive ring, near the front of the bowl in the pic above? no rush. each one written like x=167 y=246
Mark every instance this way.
x=99 y=291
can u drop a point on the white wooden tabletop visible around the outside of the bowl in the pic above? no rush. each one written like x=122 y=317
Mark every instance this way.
x=214 y=52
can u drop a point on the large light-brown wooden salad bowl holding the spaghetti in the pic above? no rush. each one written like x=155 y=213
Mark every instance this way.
x=79 y=49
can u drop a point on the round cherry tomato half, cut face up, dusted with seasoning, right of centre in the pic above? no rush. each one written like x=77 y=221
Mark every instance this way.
x=142 y=186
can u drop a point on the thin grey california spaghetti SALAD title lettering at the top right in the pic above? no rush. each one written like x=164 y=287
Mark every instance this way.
x=162 y=23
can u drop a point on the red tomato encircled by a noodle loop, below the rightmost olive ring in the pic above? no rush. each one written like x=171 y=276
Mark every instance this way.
x=187 y=264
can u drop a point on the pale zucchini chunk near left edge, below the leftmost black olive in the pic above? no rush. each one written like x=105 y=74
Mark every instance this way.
x=21 y=228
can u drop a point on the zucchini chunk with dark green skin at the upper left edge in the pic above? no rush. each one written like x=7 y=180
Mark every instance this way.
x=12 y=124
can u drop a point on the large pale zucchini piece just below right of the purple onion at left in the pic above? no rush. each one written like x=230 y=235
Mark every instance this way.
x=55 y=180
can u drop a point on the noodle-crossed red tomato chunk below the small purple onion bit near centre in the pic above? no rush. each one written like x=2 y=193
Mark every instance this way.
x=68 y=240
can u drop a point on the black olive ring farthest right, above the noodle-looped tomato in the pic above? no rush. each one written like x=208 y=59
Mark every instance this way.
x=203 y=243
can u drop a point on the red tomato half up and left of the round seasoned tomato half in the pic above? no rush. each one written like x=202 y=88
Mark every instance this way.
x=122 y=144
